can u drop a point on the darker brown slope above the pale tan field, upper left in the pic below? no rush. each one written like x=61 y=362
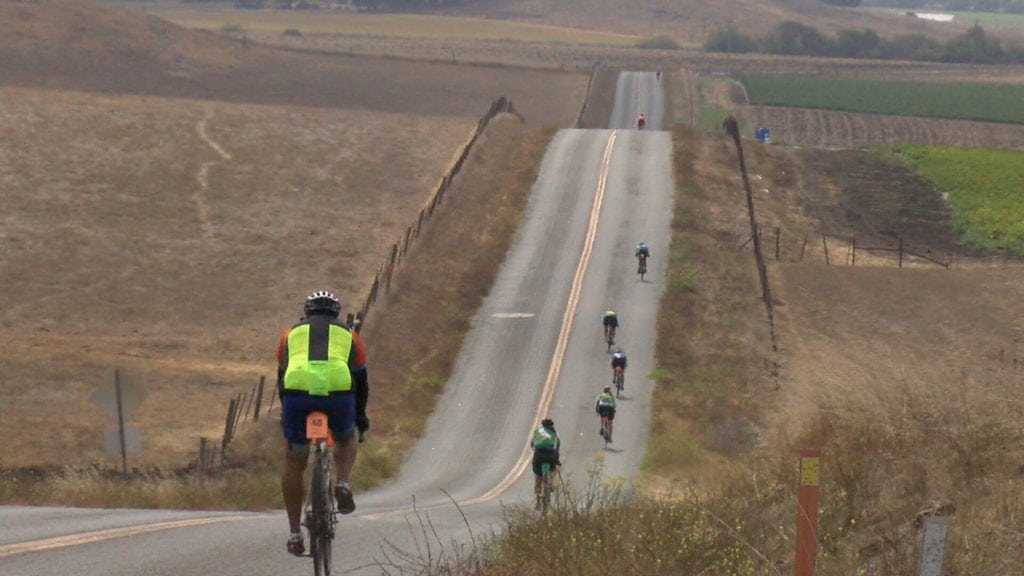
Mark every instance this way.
x=96 y=49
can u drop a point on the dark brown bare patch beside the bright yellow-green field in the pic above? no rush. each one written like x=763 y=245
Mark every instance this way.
x=846 y=195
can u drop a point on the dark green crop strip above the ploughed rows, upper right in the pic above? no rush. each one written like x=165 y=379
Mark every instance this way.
x=988 y=103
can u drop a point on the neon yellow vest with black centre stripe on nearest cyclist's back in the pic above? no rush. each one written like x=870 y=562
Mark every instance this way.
x=318 y=358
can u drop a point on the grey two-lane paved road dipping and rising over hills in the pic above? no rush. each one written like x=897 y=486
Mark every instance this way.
x=535 y=350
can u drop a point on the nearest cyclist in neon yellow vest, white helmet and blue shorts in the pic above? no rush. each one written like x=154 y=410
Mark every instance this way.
x=321 y=366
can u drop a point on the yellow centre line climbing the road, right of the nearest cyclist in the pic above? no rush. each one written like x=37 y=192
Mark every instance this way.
x=557 y=360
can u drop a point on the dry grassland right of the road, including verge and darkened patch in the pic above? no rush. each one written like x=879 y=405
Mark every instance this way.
x=907 y=380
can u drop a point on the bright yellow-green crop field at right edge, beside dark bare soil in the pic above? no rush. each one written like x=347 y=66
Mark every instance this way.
x=986 y=192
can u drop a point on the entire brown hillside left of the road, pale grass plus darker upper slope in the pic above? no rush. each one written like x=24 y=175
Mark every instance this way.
x=174 y=196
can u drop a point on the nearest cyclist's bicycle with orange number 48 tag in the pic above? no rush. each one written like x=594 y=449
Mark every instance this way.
x=321 y=511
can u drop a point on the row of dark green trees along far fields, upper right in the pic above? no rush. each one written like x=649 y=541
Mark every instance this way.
x=796 y=39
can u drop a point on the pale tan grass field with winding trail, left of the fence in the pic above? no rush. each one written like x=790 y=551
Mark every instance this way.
x=176 y=238
